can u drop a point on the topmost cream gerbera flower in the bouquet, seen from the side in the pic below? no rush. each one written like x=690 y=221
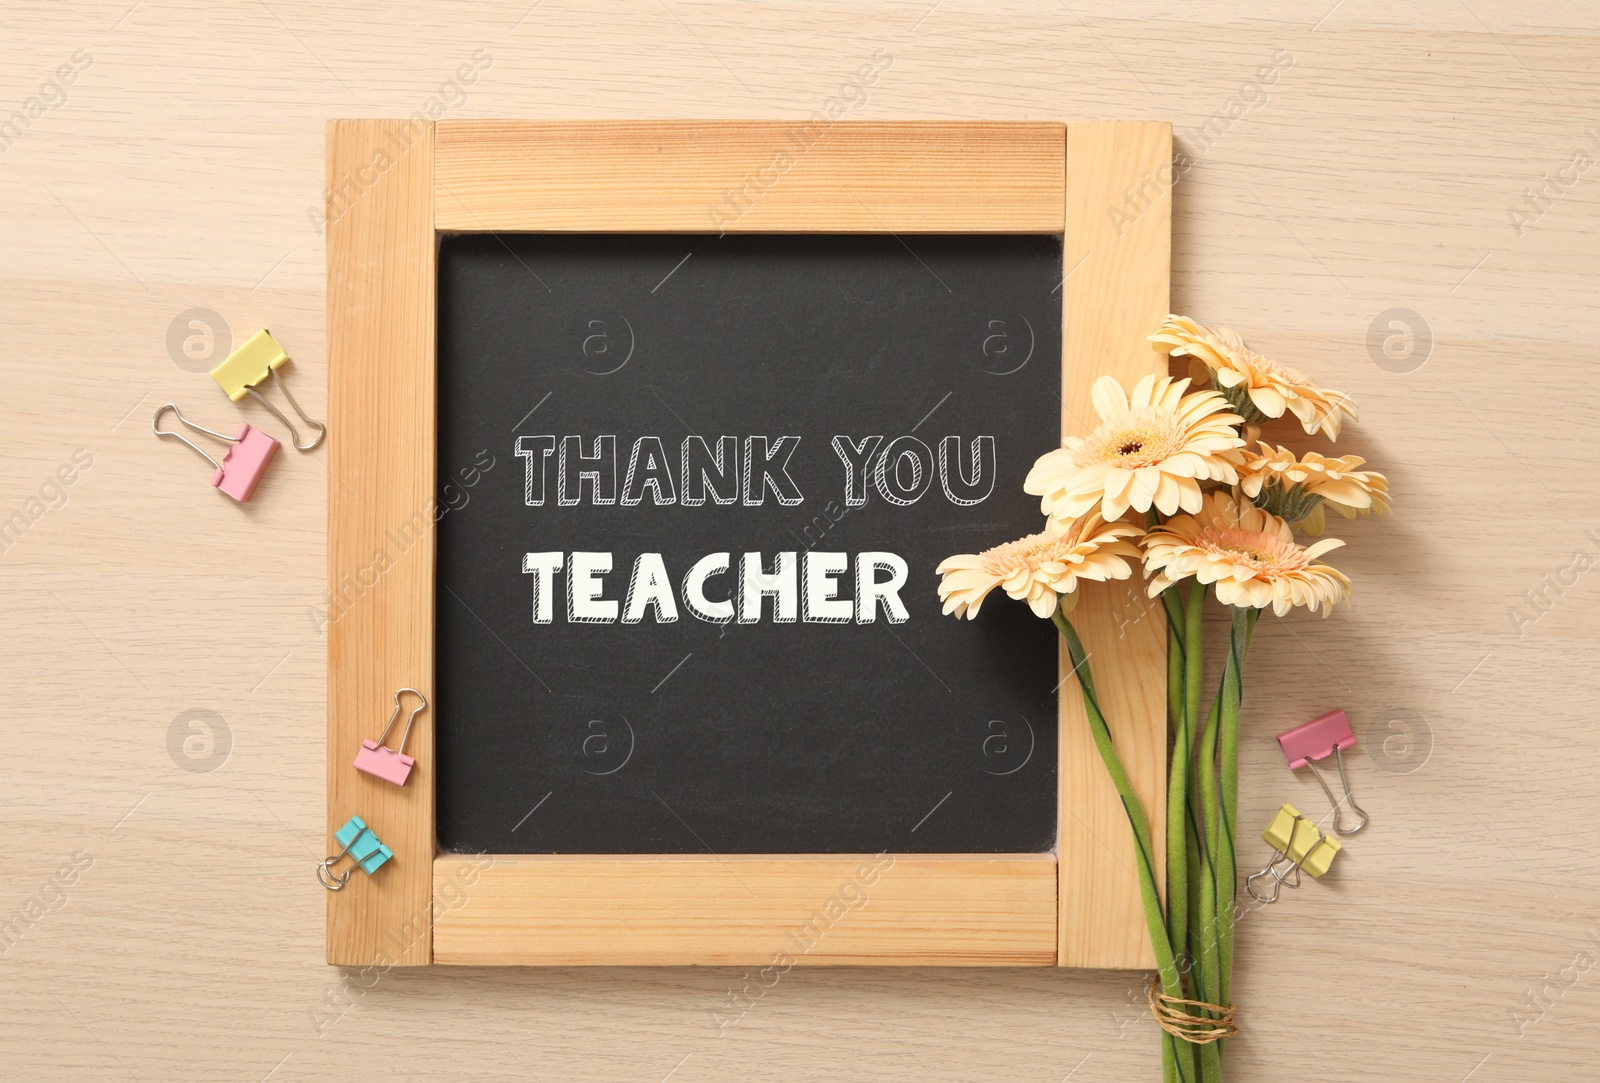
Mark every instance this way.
x=1258 y=388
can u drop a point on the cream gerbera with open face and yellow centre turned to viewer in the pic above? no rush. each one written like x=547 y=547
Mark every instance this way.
x=1154 y=447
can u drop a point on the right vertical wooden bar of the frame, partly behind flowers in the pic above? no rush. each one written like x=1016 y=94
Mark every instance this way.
x=1116 y=294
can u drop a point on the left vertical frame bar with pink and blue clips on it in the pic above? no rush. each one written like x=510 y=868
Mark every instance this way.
x=382 y=390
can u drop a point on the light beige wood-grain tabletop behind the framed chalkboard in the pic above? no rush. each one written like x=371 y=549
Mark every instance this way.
x=1455 y=940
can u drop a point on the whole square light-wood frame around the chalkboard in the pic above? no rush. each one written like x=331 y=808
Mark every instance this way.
x=1105 y=186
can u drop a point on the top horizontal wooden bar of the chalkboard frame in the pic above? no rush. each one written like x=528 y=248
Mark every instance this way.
x=823 y=177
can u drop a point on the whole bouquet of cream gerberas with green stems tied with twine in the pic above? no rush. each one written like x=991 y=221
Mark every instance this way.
x=1170 y=479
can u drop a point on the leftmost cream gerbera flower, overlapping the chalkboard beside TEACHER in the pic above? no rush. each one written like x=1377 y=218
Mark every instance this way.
x=1041 y=567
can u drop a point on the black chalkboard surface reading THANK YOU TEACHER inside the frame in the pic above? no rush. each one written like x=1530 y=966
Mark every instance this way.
x=646 y=404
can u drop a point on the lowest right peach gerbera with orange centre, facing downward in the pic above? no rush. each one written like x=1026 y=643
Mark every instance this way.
x=1249 y=554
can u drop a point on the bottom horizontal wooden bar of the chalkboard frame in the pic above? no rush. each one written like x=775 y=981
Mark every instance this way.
x=746 y=911
